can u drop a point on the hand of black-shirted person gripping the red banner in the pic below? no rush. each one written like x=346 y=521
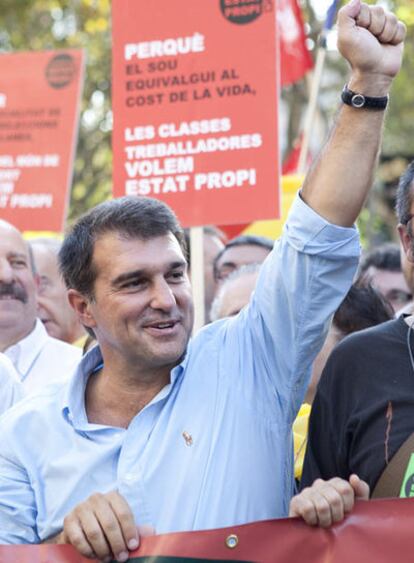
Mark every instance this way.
x=327 y=502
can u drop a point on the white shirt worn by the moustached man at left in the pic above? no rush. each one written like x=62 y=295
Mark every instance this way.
x=40 y=359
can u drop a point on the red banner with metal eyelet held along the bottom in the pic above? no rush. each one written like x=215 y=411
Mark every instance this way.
x=377 y=531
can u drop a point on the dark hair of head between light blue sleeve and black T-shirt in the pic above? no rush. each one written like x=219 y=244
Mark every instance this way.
x=362 y=307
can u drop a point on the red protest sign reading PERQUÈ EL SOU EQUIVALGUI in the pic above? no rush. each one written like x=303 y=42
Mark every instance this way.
x=195 y=107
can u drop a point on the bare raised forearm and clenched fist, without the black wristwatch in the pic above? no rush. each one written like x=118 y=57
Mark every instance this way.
x=371 y=40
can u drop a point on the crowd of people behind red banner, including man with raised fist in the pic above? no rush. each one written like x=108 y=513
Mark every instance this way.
x=152 y=430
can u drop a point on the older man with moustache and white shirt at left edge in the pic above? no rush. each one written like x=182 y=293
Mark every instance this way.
x=37 y=358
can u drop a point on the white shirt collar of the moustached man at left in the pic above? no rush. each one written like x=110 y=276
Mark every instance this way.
x=23 y=354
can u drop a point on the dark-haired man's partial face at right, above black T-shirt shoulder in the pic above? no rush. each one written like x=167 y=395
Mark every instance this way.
x=382 y=268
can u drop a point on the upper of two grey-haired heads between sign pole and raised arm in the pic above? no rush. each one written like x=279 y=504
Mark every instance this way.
x=242 y=250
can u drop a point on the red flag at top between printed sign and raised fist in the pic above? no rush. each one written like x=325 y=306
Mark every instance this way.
x=295 y=59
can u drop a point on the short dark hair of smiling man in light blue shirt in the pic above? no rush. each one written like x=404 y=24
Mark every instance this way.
x=132 y=217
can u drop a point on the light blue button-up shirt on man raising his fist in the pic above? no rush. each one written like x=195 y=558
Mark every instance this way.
x=214 y=447
